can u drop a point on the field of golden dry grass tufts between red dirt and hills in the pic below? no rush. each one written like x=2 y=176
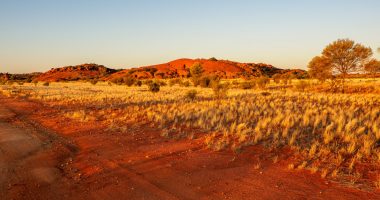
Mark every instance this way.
x=333 y=134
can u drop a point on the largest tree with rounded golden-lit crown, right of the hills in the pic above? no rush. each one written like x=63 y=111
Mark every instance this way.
x=341 y=57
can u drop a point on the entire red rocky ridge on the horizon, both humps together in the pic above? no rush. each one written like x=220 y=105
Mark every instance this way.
x=175 y=69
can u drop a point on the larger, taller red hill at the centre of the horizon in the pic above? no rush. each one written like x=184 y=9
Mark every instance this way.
x=222 y=68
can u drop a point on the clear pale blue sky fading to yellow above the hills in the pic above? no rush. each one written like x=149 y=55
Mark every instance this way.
x=36 y=35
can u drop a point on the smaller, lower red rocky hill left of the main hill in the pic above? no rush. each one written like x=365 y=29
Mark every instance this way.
x=73 y=73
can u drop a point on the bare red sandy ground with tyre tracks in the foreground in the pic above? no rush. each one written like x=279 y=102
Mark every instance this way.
x=69 y=160
